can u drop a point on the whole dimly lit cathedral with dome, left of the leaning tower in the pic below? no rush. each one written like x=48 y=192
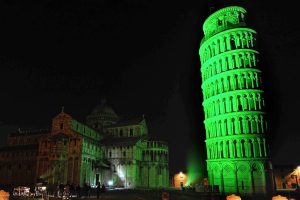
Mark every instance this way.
x=107 y=148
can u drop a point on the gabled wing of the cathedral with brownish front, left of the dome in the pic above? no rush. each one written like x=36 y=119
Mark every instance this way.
x=69 y=153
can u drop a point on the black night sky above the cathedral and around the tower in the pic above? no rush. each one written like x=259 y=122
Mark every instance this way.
x=142 y=57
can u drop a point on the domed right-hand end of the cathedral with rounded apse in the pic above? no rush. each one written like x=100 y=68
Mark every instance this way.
x=135 y=160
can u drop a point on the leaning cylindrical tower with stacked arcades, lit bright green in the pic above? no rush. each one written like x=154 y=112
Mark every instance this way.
x=235 y=121
